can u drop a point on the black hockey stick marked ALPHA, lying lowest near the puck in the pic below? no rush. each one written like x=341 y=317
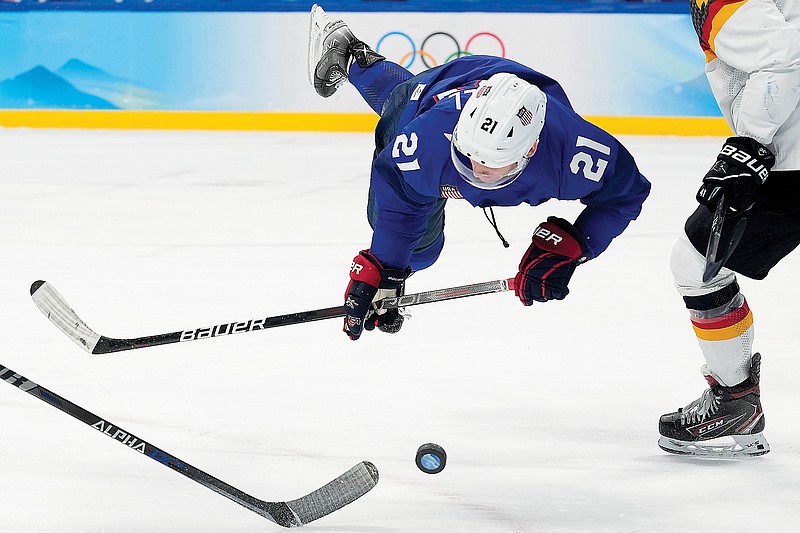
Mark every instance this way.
x=341 y=491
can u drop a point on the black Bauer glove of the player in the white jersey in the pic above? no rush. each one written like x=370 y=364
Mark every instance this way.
x=741 y=168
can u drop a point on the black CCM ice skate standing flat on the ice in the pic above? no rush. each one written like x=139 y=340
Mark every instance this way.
x=705 y=426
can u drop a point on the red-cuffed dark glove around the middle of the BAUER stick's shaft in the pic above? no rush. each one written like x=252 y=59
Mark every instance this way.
x=371 y=281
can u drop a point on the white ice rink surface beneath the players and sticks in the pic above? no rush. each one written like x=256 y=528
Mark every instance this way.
x=548 y=414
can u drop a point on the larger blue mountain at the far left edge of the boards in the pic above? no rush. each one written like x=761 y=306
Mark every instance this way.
x=39 y=88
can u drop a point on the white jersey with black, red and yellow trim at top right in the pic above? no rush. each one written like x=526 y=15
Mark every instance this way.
x=752 y=52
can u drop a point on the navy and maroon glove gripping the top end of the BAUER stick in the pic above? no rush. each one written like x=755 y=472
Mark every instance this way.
x=557 y=248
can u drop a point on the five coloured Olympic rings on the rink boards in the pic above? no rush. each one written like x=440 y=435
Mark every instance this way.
x=447 y=52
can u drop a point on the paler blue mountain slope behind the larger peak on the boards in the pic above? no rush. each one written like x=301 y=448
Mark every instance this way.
x=122 y=92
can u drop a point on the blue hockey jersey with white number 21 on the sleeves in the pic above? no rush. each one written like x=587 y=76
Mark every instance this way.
x=575 y=160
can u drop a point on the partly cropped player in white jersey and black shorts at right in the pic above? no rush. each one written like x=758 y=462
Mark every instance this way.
x=752 y=50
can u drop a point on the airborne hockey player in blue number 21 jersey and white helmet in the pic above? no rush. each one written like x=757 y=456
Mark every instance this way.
x=485 y=129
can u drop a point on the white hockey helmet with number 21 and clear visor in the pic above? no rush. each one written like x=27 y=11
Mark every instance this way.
x=497 y=128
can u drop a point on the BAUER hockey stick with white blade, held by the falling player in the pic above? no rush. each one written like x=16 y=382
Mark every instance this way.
x=56 y=308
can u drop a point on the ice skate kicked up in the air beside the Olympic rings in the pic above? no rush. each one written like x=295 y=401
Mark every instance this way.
x=332 y=47
